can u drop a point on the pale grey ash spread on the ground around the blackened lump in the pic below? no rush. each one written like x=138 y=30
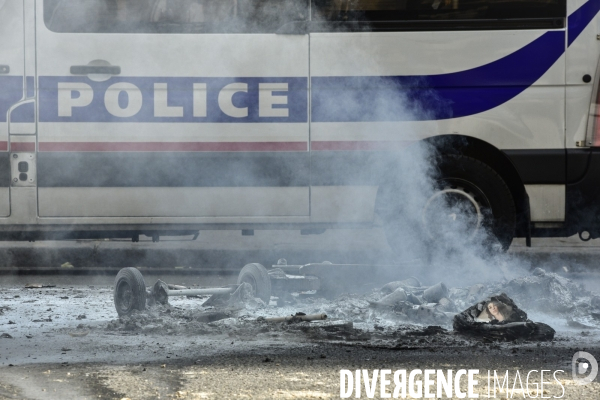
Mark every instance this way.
x=399 y=315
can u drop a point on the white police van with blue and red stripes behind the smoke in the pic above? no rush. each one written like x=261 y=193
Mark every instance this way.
x=166 y=117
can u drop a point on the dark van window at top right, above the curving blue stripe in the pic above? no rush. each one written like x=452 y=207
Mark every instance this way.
x=435 y=10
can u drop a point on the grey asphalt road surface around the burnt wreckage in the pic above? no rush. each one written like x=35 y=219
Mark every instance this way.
x=66 y=341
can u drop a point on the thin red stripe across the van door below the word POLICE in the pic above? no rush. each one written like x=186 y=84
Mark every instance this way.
x=173 y=146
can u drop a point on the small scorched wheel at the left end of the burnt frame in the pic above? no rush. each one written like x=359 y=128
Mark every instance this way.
x=130 y=291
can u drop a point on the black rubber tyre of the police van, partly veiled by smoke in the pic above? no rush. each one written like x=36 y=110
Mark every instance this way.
x=467 y=178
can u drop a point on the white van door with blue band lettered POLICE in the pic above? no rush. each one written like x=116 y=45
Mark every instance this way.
x=172 y=109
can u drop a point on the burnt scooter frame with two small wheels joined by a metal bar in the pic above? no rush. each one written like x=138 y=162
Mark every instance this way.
x=130 y=292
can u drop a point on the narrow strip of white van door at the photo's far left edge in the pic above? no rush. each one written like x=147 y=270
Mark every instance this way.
x=12 y=70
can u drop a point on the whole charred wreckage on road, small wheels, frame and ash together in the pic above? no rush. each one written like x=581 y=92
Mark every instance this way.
x=489 y=314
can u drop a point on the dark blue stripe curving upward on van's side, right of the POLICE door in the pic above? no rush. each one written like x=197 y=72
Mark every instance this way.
x=433 y=97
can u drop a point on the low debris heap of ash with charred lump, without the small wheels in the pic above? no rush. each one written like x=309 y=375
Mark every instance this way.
x=394 y=313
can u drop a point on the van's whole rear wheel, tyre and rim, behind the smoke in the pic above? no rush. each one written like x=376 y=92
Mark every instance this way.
x=469 y=203
